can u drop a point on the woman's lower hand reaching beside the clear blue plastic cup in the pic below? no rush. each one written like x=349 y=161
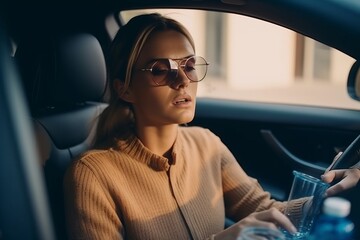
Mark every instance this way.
x=271 y=218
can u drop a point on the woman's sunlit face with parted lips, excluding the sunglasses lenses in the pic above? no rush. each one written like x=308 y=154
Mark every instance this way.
x=168 y=104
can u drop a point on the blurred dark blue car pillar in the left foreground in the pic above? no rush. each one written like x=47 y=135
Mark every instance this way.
x=24 y=205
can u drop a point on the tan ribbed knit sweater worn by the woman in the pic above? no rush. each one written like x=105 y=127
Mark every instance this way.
x=127 y=192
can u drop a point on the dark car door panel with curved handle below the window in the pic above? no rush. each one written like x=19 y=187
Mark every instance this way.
x=271 y=140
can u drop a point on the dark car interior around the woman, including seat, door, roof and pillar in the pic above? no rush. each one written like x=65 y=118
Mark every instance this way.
x=53 y=87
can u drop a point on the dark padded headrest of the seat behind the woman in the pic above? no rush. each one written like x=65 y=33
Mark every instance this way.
x=62 y=72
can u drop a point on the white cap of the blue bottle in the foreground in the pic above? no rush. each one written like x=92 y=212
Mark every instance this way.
x=336 y=206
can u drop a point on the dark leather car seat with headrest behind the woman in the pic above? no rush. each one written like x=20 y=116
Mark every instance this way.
x=64 y=80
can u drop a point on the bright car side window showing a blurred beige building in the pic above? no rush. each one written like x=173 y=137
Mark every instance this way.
x=253 y=60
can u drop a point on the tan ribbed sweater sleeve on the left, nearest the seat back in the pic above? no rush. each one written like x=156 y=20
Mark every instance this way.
x=90 y=212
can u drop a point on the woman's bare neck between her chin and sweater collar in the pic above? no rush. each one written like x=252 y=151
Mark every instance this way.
x=158 y=139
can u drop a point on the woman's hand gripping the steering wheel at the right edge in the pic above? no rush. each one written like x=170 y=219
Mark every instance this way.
x=349 y=178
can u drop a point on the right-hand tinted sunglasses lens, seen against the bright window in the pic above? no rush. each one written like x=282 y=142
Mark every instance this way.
x=195 y=68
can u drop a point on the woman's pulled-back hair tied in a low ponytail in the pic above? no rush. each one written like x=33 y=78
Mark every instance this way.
x=117 y=120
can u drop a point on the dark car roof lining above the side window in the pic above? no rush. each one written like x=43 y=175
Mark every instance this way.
x=310 y=18
